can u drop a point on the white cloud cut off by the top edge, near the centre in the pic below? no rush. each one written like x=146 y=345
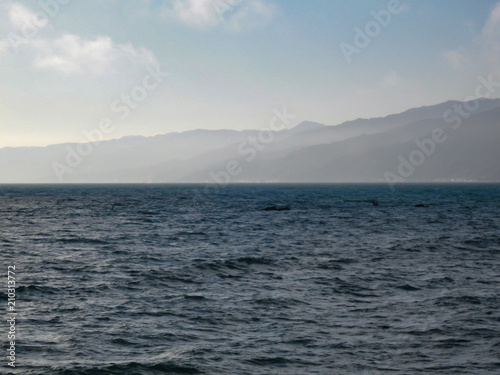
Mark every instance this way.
x=237 y=15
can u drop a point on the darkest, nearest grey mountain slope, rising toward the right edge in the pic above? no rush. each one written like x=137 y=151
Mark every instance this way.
x=470 y=153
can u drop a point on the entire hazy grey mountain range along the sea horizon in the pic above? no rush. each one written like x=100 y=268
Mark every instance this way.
x=362 y=150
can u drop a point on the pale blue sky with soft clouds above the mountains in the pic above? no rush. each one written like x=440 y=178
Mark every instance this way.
x=152 y=67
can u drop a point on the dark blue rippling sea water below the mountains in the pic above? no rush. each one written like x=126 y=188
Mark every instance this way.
x=139 y=280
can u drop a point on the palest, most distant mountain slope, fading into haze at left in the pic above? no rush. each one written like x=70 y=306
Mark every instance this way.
x=122 y=160
